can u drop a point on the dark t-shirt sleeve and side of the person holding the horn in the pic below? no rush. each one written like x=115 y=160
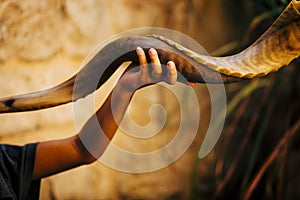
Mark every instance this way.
x=16 y=170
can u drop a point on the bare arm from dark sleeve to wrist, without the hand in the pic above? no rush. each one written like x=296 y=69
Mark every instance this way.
x=56 y=156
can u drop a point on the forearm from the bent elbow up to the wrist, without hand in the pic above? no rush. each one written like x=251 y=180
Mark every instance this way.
x=98 y=131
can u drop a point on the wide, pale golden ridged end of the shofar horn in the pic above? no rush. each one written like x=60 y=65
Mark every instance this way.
x=276 y=48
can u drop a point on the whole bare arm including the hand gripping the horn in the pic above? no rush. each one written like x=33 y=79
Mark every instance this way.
x=56 y=156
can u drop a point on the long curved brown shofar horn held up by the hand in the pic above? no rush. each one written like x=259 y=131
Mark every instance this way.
x=277 y=47
